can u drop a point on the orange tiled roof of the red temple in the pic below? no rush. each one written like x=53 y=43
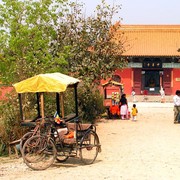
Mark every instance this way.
x=151 y=40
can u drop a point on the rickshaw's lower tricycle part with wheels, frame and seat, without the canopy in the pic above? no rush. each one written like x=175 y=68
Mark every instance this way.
x=40 y=151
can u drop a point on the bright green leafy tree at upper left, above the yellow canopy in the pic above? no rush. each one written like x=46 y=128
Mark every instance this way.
x=27 y=30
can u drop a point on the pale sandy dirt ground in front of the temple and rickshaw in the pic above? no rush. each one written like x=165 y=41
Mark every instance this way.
x=148 y=149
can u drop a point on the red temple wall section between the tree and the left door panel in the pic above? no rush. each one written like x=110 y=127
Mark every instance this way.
x=126 y=79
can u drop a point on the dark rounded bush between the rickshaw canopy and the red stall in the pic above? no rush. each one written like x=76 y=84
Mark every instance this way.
x=90 y=104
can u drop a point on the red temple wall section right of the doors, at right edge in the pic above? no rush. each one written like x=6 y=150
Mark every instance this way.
x=176 y=80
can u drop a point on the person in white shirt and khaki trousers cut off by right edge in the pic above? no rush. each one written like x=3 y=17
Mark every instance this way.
x=176 y=101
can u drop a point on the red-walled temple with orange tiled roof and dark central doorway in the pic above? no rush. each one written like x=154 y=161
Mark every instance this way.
x=153 y=54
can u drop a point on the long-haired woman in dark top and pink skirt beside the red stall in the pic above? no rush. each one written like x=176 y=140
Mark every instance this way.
x=124 y=106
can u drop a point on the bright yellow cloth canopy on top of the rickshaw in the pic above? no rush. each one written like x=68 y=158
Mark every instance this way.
x=50 y=82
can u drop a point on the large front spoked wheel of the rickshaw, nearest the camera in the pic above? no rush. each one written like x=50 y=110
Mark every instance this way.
x=39 y=152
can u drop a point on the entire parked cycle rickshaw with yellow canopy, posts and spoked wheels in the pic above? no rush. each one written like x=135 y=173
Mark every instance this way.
x=58 y=137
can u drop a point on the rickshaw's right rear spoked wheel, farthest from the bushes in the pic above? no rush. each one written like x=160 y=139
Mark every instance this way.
x=89 y=147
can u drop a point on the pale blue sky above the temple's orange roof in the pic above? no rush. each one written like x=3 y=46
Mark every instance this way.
x=143 y=11
